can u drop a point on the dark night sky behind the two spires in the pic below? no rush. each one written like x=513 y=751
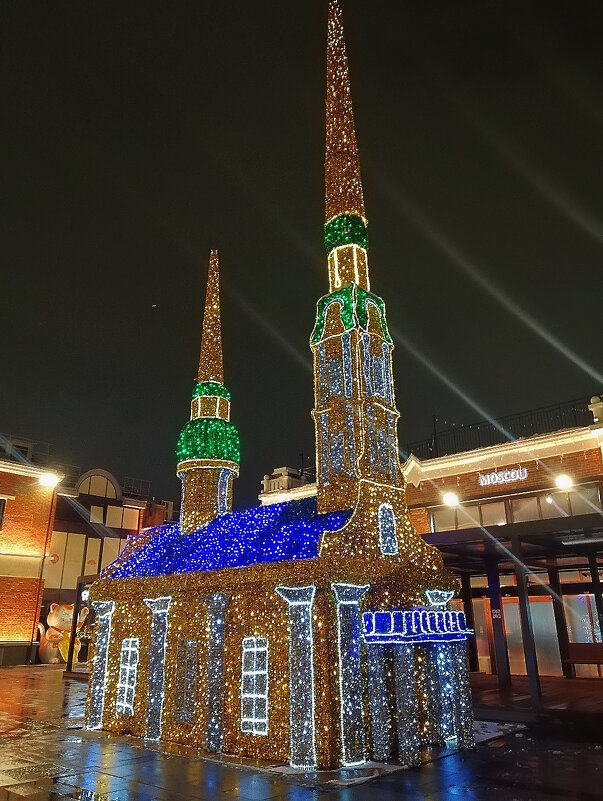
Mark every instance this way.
x=137 y=136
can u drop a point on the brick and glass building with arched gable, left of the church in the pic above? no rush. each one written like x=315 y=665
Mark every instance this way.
x=55 y=527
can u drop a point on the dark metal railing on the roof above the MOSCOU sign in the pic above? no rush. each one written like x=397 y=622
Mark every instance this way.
x=571 y=414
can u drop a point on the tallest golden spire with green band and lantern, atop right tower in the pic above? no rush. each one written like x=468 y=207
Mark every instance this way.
x=345 y=221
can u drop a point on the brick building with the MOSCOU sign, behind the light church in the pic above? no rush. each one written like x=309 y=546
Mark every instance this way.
x=515 y=506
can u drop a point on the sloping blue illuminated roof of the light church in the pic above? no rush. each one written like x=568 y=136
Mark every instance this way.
x=280 y=532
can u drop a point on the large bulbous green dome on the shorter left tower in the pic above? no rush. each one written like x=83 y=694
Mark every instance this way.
x=209 y=438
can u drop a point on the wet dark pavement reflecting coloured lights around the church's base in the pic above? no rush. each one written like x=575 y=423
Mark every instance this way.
x=46 y=754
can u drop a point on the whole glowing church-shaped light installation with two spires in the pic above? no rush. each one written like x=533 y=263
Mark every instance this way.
x=316 y=631
